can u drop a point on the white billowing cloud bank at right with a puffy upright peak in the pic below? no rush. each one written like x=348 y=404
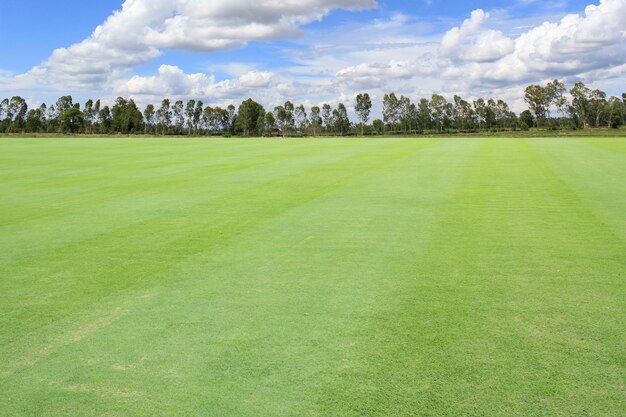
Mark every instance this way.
x=592 y=45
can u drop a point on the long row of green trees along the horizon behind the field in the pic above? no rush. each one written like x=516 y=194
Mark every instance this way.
x=549 y=107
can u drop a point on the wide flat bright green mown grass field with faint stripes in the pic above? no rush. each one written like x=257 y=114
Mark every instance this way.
x=233 y=277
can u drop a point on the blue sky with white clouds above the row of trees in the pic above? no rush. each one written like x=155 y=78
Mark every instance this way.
x=307 y=51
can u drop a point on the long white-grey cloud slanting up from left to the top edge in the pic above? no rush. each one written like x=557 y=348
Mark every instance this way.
x=140 y=31
